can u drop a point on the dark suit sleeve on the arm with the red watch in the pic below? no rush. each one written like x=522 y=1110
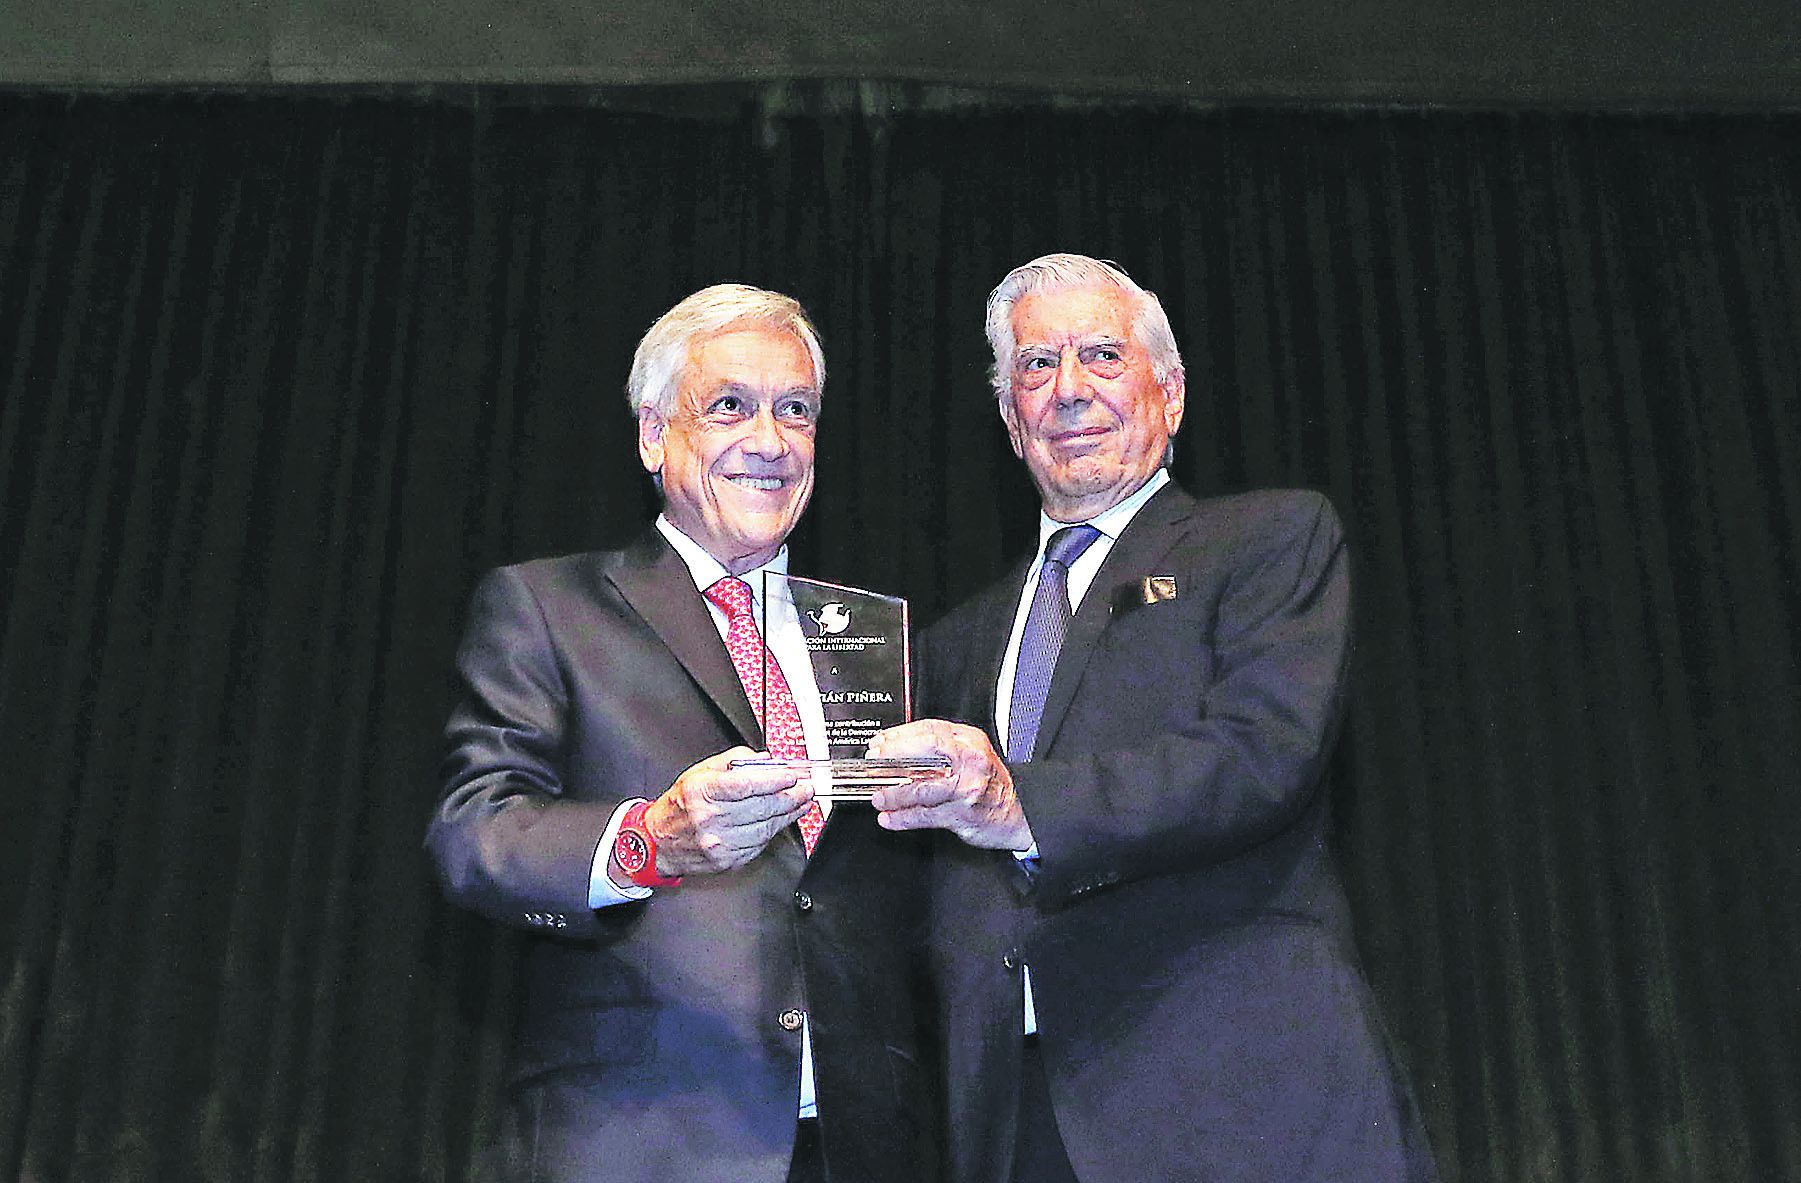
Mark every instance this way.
x=505 y=838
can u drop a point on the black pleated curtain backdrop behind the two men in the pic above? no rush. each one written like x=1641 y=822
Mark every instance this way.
x=284 y=375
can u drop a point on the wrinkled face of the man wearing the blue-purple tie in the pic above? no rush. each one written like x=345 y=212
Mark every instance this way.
x=1085 y=411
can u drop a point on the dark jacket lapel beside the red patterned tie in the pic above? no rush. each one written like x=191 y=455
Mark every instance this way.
x=658 y=586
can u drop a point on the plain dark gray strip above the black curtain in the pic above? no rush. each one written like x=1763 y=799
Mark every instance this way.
x=1411 y=53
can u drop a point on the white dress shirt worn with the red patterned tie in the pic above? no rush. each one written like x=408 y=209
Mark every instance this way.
x=788 y=646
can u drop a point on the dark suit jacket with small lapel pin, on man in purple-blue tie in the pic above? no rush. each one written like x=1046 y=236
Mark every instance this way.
x=1200 y=1007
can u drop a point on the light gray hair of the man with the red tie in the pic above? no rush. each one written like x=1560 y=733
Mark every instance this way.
x=664 y=352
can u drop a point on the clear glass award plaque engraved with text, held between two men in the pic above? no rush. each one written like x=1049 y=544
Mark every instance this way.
x=858 y=644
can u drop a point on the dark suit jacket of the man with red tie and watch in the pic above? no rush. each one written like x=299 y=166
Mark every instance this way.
x=660 y=1040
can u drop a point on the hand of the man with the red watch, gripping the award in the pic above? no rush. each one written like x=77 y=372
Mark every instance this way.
x=716 y=818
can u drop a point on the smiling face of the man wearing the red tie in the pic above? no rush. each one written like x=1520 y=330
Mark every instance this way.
x=738 y=451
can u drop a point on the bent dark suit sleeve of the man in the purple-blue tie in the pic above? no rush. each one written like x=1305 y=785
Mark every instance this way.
x=1253 y=755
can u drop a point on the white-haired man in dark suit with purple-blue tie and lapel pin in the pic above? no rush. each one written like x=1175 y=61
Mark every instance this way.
x=1141 y=943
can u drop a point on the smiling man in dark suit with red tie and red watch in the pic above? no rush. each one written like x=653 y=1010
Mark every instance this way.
x=705 y=1000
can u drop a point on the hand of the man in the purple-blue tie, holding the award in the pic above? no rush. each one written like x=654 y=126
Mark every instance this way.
x=975 y=800
